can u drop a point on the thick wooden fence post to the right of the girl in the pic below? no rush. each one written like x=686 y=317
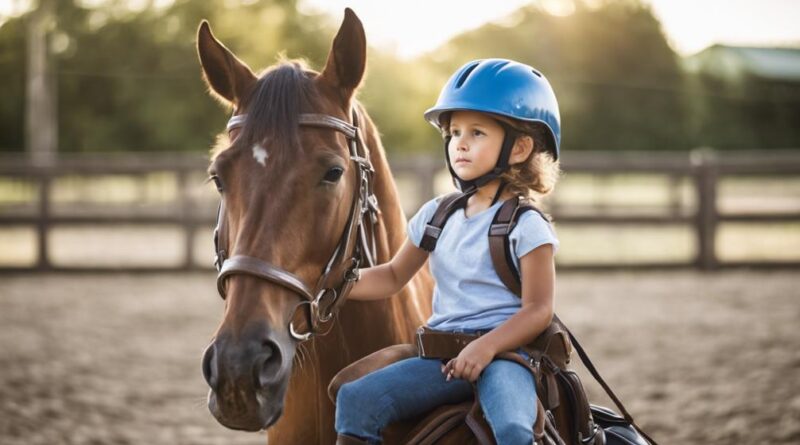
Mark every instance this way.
x=704 y=163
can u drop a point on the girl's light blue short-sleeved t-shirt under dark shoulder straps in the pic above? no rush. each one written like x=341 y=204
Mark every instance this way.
x=468 y=293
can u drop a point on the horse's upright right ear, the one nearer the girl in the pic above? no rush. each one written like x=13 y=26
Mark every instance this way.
x=348 y=56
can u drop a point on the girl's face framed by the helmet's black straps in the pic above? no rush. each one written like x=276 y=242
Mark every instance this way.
x=475 y=143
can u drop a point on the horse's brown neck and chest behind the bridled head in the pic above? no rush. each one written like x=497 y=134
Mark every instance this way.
x=360 y=328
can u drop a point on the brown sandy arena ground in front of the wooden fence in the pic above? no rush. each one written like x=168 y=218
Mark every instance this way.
x=115 y=359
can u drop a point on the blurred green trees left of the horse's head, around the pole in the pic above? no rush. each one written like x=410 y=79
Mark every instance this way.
x=130 y=80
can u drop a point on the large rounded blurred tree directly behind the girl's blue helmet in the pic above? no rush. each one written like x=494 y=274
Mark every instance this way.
x=618 y=82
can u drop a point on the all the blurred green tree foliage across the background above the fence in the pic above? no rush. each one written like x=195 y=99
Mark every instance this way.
x=130 y=80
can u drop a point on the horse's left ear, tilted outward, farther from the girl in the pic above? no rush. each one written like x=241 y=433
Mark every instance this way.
x=228 y=77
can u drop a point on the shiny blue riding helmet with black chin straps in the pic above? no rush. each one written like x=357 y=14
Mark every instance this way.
x=501 y=87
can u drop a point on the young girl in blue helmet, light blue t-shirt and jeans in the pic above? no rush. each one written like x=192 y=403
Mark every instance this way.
x=501 y=127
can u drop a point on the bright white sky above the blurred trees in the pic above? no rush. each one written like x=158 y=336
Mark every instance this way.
x=412 y=27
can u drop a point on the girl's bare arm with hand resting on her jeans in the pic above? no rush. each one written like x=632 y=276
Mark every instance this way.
x=538 y=284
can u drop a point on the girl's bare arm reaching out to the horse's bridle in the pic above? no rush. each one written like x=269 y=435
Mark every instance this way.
x=385 y=280
